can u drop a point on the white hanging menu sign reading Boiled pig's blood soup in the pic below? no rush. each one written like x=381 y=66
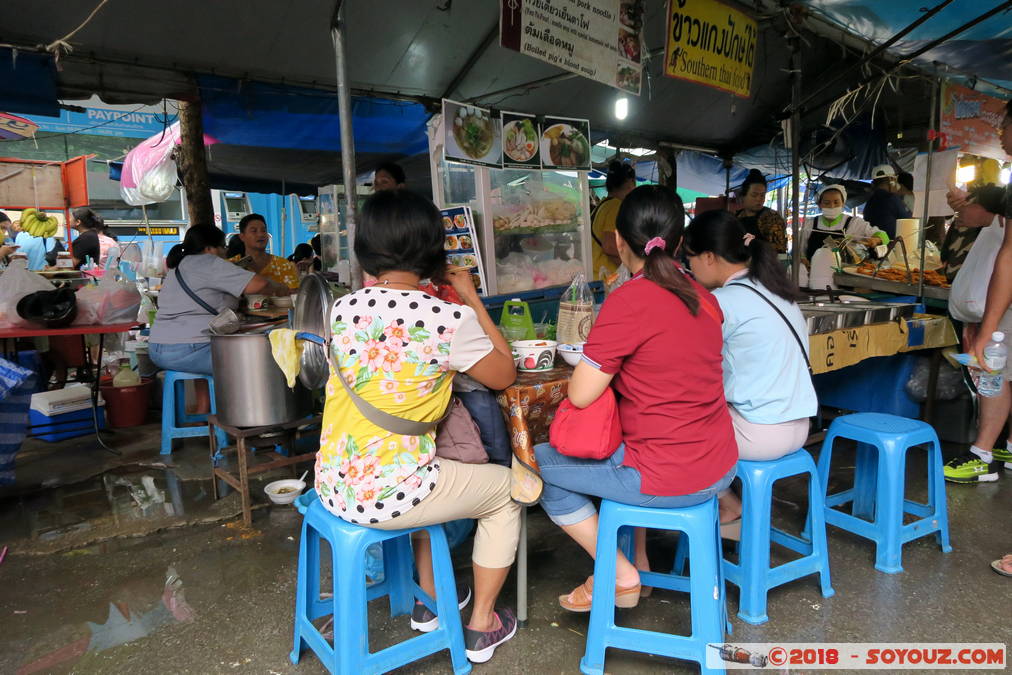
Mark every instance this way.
x=600 y=40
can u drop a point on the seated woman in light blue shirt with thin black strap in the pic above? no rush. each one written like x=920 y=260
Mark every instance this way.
x=767 y=379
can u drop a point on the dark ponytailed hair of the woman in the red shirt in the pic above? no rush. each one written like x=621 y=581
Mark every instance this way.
x=651 y=221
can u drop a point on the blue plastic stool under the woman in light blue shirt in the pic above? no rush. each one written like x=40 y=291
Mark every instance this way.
x=752 y=574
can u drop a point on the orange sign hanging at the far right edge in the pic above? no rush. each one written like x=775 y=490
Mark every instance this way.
x=970 y=120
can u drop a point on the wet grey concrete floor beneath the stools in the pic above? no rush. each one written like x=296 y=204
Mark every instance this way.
x=106 y=576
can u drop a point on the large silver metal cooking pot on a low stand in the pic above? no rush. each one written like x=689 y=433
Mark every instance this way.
x=250 y=390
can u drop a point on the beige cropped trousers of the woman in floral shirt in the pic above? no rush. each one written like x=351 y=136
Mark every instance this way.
x=471 y=491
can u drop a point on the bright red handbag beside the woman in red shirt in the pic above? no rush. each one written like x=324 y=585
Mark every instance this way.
x=594 y=433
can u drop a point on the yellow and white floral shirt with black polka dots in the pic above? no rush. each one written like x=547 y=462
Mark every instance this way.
x=399 y=351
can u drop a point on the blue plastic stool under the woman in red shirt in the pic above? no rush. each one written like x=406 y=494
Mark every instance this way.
x=706 y=585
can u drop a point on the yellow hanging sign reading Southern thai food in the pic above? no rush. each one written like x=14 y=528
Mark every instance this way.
x=711 y=44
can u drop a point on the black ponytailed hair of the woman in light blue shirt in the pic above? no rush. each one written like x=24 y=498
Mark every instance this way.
x=722 y=234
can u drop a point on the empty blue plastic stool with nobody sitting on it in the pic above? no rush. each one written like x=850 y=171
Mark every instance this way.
x=878 y=497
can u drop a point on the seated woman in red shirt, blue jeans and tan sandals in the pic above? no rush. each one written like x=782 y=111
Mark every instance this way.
x=658 y=344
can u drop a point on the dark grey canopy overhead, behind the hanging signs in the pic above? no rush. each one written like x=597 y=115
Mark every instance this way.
x=418 y=50
